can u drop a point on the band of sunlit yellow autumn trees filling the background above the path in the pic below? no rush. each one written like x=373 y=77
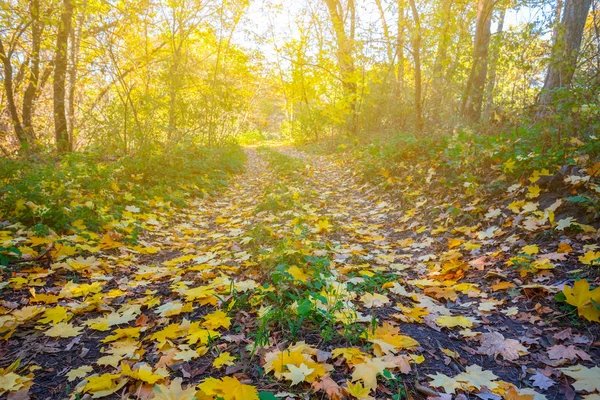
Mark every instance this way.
x=167 y=72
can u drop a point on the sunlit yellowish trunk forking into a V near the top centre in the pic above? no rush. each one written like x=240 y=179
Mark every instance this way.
x=345 y=56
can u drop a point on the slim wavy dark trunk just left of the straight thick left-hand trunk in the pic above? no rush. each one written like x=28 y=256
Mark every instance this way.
x=34 y=69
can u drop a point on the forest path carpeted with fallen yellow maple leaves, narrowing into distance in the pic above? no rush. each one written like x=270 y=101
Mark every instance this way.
x=297 y=278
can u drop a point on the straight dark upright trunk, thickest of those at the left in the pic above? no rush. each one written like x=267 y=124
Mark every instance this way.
x=61 y=133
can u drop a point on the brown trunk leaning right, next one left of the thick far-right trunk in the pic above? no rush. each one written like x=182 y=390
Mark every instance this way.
x=473 y=96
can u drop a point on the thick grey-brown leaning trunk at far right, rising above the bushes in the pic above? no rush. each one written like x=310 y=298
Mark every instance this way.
x=566 y=48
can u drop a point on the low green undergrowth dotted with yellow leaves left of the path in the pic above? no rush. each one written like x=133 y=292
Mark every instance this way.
x=55 y=194
